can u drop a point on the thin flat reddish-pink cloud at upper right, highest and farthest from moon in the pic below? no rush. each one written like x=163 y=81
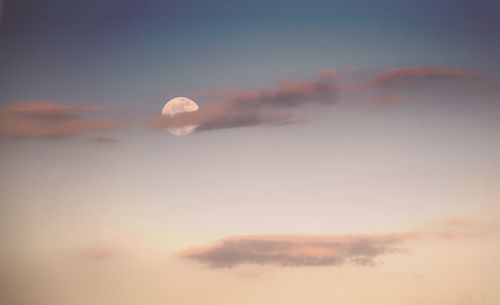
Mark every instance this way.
x=420 y=76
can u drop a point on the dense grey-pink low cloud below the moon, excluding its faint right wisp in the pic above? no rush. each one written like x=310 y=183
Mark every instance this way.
x=296 y=250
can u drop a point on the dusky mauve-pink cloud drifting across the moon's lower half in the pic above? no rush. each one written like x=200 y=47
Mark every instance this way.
x=253 y=108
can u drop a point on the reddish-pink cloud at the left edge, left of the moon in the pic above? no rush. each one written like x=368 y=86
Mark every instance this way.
x=51 y=120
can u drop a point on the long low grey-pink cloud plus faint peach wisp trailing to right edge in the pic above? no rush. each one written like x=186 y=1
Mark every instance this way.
x=329 y=250
